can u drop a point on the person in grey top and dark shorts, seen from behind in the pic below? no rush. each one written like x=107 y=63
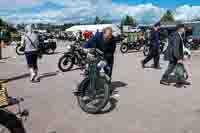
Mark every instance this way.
x=30 y=42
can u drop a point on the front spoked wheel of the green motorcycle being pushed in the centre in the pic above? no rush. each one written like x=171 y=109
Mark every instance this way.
x=93 y=100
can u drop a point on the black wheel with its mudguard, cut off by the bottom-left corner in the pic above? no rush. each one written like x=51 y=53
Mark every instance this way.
x=10 y=123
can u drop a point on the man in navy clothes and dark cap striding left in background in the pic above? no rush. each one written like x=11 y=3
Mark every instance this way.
x=154 y=51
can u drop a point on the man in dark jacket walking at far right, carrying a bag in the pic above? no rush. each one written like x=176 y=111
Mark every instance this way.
x=174 y=54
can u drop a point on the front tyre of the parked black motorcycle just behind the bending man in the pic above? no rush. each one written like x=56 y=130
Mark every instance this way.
x=62 y=61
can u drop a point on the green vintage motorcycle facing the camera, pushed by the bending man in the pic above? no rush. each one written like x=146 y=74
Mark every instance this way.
x=93 y=93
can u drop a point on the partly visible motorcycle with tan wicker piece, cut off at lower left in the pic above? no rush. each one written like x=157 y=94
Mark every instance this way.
x=11 y=122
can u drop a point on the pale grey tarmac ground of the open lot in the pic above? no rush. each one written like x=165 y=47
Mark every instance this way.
x=141 y=106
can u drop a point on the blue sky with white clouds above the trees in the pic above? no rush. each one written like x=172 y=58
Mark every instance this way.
x=63 y=11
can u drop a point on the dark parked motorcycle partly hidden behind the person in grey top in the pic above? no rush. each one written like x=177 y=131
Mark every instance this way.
x=46 y=46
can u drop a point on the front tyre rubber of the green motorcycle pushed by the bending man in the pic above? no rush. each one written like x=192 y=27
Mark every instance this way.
x=83 y=89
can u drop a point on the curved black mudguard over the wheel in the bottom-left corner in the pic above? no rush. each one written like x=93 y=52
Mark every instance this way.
x=7 y=116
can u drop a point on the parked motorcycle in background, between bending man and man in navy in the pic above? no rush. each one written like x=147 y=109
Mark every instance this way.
x=136 y=45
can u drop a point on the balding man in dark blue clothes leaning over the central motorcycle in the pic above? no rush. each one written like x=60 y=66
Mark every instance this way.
x=105 y=42
